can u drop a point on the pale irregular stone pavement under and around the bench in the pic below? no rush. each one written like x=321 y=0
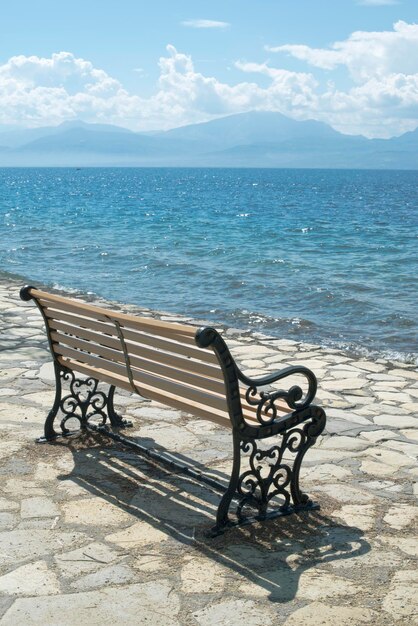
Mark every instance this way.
x=91 y=533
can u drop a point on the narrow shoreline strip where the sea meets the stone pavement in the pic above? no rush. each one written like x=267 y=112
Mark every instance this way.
x=355 y=353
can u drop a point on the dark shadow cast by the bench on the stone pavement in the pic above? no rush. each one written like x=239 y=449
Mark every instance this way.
x=272 y=554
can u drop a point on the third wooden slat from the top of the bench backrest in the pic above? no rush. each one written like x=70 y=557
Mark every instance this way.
x=180 y=362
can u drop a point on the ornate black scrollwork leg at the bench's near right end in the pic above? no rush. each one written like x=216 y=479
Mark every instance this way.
x=269 y=474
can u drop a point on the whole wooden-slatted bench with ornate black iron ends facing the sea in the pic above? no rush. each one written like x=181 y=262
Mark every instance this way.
x=190 y=369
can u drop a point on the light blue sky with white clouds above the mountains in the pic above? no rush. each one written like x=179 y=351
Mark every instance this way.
x=161 y=64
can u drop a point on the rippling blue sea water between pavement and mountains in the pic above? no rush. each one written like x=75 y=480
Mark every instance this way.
x=324 y=256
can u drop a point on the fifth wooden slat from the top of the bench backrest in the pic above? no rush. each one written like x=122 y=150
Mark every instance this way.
x=143 y=379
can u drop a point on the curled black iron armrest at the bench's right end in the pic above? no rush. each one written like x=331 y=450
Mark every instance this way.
x=265 y=400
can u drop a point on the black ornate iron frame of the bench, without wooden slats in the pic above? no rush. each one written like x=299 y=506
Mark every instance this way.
x=266 y=475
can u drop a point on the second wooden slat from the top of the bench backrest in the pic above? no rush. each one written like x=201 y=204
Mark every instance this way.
x=164 y=344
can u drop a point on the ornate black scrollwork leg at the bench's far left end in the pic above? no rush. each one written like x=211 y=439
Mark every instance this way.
x=83 y=403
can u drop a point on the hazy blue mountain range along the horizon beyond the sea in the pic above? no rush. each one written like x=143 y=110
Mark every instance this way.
x=253 y=139
